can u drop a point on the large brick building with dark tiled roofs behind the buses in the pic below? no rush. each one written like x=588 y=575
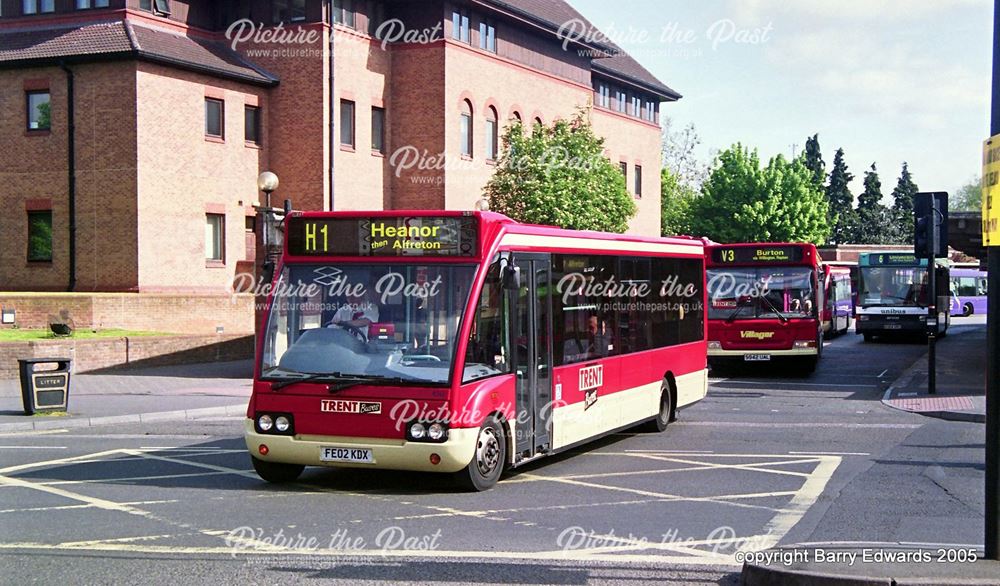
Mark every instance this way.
x=134 y=130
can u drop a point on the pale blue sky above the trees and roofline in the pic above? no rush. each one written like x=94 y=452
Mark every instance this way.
x=886 y=80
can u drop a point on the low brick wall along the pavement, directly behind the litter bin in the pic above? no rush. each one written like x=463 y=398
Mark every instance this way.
x=90 y=355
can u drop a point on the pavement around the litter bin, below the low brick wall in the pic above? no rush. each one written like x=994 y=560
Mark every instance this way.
x=169 y=393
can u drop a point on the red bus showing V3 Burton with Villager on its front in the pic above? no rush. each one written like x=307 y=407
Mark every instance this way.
x=765 y=302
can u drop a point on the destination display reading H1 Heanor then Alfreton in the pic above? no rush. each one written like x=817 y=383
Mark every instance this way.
x=388 y=236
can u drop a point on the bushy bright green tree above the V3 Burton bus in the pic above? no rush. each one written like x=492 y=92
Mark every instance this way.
x=741 y=202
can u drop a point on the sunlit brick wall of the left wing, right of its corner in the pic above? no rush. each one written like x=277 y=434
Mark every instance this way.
x=183 y=176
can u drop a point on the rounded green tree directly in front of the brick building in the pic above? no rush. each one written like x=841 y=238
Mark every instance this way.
x=559 y=176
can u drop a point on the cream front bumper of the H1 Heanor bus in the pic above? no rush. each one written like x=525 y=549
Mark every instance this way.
x=455 y=453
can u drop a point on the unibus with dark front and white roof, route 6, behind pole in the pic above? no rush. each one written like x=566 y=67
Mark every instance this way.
x=893 y=295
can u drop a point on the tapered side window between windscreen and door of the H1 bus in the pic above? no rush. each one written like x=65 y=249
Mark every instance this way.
x=488 y=338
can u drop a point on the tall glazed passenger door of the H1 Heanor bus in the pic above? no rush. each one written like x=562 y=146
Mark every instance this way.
x=531 y=326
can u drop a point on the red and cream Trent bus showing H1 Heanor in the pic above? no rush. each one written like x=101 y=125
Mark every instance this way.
x=465 y=342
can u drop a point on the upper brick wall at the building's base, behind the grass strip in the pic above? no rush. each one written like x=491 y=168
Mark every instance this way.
x=177 y=314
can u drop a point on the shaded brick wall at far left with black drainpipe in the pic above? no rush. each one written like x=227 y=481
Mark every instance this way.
x=34 y=166
